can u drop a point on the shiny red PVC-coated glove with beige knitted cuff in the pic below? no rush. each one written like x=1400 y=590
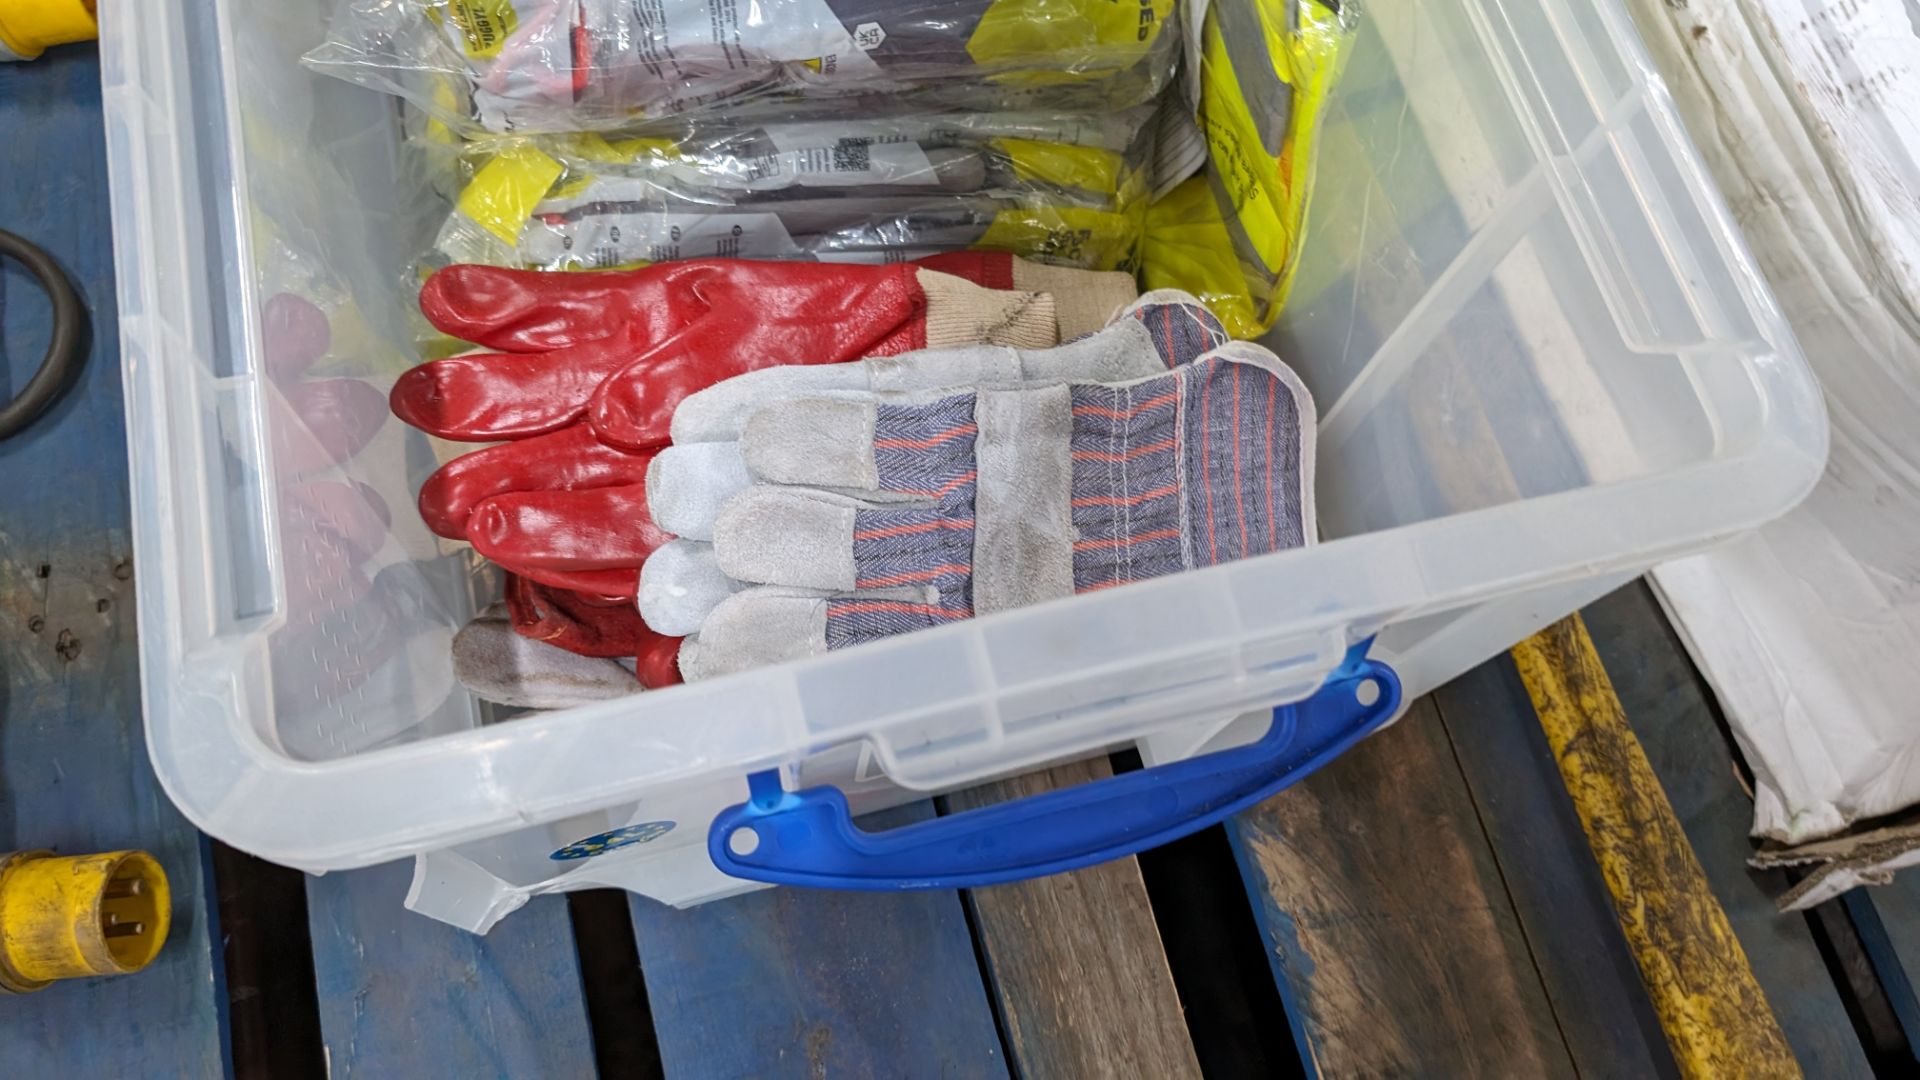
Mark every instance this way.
x=596 y=366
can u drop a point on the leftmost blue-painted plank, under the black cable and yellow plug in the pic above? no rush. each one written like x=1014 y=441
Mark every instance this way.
x=74 y=772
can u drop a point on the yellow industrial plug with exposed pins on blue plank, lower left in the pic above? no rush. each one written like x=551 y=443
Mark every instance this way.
x=80 y=916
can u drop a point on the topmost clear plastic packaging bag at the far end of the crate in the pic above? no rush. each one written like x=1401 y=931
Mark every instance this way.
x=550 y=66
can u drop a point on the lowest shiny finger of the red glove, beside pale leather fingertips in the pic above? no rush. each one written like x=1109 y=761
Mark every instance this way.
x=600 y=529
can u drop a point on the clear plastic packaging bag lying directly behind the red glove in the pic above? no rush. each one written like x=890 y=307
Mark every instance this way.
x=1068 y=191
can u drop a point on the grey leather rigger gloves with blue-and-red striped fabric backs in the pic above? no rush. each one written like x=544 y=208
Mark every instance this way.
x=976 y=497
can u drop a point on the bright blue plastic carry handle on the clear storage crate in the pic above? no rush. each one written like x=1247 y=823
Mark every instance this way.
x=809 y=839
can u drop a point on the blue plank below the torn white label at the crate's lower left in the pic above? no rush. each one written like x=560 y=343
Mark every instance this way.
x=406 y=996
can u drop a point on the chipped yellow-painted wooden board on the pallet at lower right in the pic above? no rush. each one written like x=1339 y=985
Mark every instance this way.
x=1716 y=1016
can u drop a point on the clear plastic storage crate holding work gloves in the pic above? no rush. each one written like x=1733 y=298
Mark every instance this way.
x=1541 y=351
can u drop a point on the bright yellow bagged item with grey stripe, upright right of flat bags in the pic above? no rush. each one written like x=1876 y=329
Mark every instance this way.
x=1260 y=72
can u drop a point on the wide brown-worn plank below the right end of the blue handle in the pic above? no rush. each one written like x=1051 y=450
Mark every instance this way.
x=1389 y=929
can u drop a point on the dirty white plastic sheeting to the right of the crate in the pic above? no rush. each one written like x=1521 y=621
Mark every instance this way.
x=1810 y=631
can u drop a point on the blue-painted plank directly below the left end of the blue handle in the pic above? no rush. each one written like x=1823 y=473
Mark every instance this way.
x=807 y=983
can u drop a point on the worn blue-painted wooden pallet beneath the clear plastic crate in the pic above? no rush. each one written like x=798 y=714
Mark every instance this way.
x=1426 y=904
